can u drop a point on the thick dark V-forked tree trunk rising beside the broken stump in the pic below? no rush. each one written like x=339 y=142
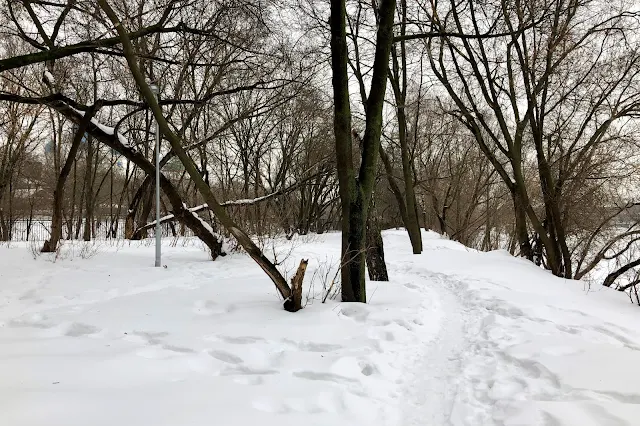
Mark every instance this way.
x=356 y=194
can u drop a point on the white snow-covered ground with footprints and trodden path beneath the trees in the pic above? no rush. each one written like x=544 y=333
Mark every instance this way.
x=100 y=337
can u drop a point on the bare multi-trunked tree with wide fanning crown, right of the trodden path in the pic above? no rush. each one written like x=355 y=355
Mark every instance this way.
x=539 y=91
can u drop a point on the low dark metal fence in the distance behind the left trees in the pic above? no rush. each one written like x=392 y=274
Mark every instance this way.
x=40 y=229
